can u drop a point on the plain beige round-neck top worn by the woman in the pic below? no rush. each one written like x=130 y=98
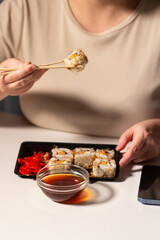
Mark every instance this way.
x=121 y=83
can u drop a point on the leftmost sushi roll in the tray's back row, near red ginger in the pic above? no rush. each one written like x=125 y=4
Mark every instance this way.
x=62 y=153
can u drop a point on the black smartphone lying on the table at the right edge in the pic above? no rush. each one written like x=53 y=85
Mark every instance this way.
x=149 y=188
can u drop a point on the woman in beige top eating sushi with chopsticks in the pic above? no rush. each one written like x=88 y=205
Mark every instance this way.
x=118 y=90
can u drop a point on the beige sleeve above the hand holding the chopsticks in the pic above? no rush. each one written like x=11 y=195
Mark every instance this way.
x=11 y=26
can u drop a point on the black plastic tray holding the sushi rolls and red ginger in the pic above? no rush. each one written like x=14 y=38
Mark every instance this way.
x=27 y=149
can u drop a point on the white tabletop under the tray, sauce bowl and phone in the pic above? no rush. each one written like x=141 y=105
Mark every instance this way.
x=26 y=213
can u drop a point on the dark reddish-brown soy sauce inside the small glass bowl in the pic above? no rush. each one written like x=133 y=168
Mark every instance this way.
x=64 y=181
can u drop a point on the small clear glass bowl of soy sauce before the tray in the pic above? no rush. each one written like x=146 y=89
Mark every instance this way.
x=62 y=182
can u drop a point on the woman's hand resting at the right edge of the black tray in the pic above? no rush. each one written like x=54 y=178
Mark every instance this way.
x=145 y=142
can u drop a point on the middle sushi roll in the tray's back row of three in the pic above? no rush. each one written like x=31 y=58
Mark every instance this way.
x=84 y=157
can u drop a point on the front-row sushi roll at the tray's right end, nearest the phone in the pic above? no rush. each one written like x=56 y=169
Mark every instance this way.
x=104 y=168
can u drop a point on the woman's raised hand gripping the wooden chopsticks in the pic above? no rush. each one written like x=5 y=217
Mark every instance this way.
x=19 y=81
